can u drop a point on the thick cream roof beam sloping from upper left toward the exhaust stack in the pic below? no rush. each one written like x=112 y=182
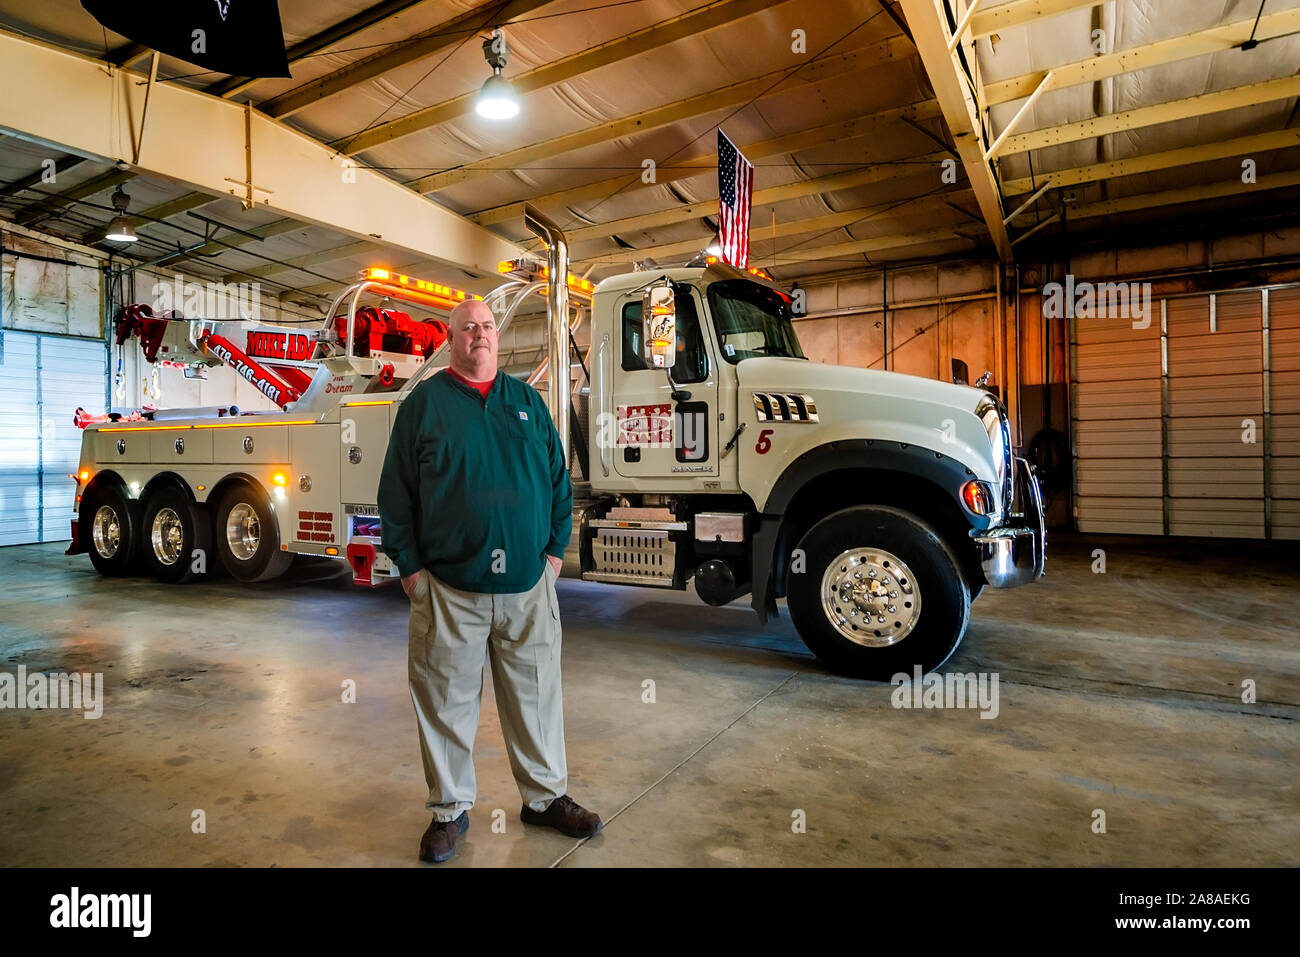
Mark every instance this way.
x=72 y=102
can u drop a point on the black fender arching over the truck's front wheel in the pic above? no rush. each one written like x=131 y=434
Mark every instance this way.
x=769 y=560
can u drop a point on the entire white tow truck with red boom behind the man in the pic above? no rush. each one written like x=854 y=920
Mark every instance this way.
x=708 y=451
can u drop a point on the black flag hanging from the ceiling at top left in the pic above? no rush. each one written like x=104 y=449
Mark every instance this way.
x=242 y=38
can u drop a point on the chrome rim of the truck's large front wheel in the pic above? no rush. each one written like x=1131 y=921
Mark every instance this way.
x=870 y=597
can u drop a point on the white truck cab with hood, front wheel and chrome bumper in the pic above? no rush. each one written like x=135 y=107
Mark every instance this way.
x=878 y=504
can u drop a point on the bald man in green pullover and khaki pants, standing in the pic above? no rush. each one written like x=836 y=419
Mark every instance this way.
x=476 y=510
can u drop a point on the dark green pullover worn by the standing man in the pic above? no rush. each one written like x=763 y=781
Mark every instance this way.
x=476 y=491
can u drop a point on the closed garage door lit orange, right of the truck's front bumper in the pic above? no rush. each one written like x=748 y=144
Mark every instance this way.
x=1190 y=427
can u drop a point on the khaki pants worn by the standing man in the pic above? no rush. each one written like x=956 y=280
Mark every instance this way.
x=450 y=634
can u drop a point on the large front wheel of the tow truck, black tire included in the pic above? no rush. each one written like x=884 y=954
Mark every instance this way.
x=892 y=565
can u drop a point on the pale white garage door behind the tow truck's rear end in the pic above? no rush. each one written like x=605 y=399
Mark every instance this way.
x=44 y=379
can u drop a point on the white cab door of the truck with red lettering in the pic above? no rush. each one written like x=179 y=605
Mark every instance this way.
x=656 y=435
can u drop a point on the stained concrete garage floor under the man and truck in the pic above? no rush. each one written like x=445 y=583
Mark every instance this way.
x=1119 y=692
